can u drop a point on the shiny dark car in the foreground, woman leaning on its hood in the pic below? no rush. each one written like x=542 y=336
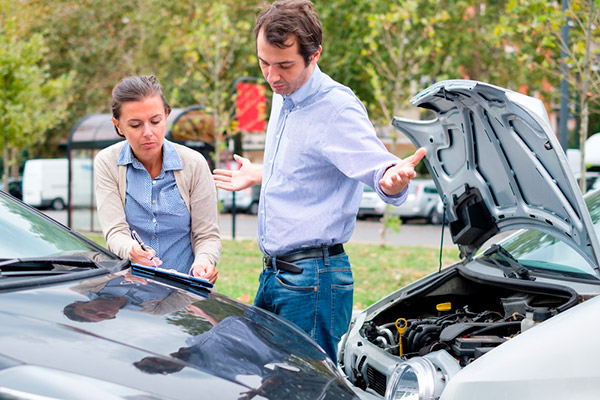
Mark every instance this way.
x=77 y=322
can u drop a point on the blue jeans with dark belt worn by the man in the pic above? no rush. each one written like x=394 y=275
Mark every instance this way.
x=318 y=300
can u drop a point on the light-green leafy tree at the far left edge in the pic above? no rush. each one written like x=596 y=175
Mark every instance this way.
x=30 y=100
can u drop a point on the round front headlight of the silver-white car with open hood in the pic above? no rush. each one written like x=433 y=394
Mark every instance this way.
x=421 y=379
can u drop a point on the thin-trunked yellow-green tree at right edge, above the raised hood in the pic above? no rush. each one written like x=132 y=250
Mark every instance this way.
x=534 y=26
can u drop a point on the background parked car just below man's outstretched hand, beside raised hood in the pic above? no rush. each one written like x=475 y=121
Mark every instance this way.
x=421 y=202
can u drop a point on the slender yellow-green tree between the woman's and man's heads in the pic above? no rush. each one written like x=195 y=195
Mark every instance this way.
x=215 y=47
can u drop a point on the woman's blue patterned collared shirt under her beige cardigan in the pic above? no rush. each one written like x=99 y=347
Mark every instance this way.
x=156 y=210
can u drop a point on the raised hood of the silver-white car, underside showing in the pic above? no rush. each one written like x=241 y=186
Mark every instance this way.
x=498 y=166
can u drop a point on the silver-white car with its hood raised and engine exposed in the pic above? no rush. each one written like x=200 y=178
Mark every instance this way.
x=500 y=167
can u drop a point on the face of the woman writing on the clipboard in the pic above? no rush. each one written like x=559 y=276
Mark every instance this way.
x=143 y=123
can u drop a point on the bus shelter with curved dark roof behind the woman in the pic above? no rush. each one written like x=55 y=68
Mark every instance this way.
x=191 y=126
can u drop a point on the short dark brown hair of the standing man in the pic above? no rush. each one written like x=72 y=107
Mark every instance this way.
x=284 y=18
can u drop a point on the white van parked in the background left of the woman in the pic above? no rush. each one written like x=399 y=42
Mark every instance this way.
x=45 y=182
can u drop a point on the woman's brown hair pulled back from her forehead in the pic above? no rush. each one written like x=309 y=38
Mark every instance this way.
x=135 y=88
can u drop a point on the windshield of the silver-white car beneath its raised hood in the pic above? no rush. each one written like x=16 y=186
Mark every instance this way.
x=540 y=251
